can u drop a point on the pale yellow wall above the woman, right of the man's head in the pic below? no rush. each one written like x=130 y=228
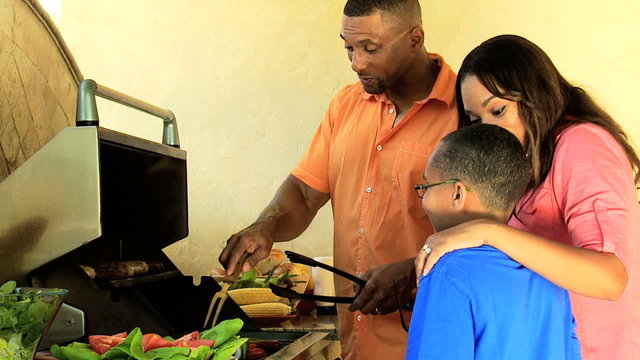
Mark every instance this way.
x=594 y=44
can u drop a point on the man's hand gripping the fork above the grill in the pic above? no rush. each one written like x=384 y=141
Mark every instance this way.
x=255 y=240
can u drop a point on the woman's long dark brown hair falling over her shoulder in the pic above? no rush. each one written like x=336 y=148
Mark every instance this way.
x=514 y=68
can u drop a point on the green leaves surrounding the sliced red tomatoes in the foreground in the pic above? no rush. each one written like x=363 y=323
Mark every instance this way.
x=224 y=334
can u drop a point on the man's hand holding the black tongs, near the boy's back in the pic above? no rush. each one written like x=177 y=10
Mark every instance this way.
x=385 y=284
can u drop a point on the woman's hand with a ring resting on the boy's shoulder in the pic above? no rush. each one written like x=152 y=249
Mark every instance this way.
x=466 y=235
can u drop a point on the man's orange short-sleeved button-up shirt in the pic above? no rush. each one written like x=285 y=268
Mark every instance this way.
x=370 y=169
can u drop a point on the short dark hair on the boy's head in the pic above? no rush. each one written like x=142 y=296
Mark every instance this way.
x=490 y=160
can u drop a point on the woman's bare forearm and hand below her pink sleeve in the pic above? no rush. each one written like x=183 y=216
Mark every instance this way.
x=583 y=271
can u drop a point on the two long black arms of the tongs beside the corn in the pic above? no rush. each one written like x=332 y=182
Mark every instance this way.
x=301 y=259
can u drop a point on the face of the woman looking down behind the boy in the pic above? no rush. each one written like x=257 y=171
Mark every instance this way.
x=482 y=105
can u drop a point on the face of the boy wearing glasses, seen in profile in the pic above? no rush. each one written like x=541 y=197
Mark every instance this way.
x=438 y=201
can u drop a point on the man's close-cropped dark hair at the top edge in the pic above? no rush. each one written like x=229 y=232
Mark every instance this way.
x=402 y=9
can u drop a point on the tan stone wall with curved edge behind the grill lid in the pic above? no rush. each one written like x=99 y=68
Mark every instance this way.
x=38 y=82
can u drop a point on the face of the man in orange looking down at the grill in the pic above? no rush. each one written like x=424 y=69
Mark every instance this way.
x=378 y=48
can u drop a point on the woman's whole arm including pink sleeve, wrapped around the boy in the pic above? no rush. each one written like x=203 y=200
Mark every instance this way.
x=597 y=208
